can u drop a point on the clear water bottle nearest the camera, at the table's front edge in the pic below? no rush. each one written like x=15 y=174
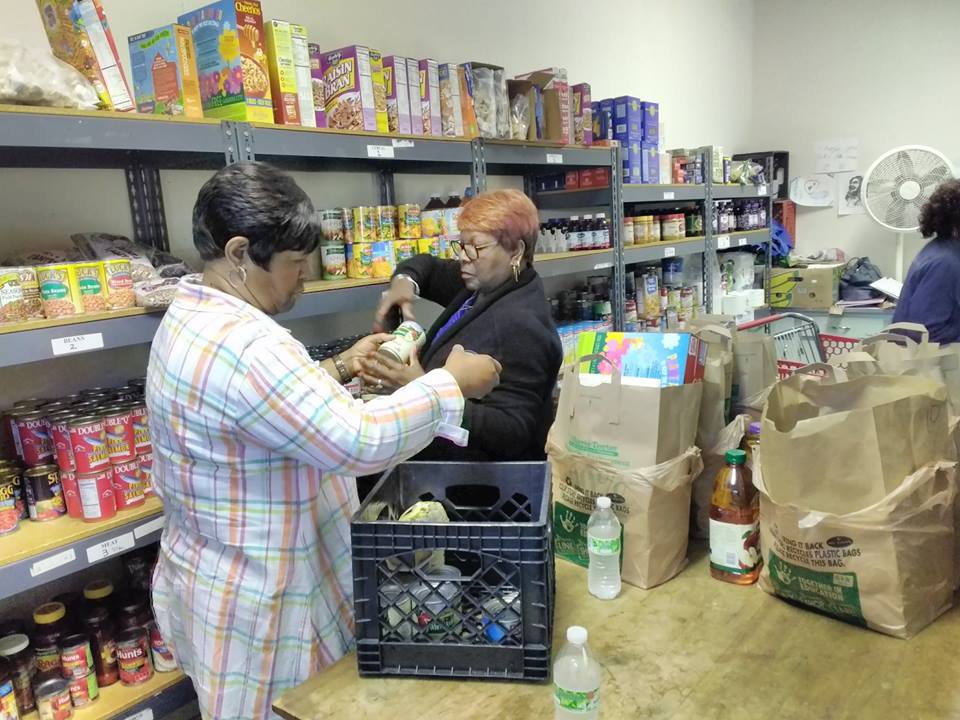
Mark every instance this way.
x=576 y=679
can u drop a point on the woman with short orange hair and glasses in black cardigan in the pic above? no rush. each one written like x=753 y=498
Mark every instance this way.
x=495 y=304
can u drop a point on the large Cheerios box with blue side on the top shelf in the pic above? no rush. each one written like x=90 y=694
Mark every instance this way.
x=232 y=60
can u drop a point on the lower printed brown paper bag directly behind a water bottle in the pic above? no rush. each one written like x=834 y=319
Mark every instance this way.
x=653 y=505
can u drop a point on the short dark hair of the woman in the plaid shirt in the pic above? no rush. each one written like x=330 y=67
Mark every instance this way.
x=256 y=201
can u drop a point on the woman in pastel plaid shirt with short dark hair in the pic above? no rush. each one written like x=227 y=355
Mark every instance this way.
x=256 y=447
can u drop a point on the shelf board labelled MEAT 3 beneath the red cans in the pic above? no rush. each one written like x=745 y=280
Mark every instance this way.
x=40 y=552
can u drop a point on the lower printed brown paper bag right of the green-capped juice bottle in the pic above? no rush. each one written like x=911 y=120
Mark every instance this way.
x=888 y=565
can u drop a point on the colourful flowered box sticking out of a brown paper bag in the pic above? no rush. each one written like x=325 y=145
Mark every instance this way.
x=645 y=359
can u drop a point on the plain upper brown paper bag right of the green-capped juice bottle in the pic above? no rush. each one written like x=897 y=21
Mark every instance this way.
x=841 y=446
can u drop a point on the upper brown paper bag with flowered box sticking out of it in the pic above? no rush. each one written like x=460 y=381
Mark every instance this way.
x=628 y=426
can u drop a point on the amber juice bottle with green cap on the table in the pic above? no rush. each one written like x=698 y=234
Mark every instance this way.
x=734 y=523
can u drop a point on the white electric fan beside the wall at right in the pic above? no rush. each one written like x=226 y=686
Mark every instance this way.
x=897 y=186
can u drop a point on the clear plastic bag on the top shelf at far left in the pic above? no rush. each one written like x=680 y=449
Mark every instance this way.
x=33 y=77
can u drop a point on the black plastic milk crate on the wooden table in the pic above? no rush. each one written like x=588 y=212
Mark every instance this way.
x=484 y=609
